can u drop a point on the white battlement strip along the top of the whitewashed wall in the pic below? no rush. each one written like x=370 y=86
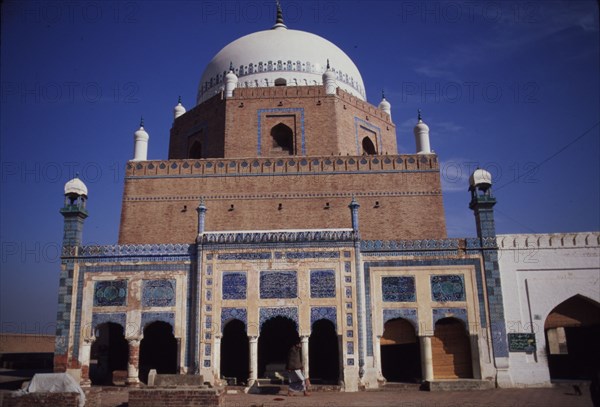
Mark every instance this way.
x=549 y=241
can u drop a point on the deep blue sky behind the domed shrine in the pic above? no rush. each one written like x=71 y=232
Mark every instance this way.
x=512 y=87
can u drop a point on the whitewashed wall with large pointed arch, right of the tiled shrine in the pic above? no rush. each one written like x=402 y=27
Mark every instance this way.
x=551 y=289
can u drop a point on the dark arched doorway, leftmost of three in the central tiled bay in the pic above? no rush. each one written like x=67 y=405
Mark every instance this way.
x=235 y=355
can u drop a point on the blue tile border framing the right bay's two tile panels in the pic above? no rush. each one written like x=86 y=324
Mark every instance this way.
x=419 y=263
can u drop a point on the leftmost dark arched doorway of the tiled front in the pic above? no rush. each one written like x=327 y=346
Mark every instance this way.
x=109 y=352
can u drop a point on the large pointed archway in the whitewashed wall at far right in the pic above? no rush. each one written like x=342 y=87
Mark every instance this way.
x=572 y=331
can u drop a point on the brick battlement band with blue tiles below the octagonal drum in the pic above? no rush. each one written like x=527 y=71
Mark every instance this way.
x=283 y=166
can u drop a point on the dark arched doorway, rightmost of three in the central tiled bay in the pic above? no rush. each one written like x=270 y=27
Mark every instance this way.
x=323 y=353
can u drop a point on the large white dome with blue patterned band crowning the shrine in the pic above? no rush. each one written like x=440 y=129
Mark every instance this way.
x=264 y=56
